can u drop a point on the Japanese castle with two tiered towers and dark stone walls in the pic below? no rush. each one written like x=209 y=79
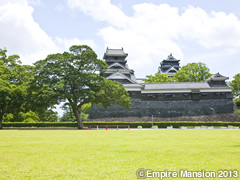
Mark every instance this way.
x=211 y=100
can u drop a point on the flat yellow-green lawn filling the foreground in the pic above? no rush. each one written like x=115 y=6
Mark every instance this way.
x=73 y=154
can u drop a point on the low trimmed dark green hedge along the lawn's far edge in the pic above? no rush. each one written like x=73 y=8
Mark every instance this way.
x=120 y=124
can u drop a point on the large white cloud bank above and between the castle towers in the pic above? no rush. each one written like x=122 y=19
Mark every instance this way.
x=154 y=31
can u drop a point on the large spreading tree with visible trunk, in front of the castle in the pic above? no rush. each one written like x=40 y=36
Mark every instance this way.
x=72 y=77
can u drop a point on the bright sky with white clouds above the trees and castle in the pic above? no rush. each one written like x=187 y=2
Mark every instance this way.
x=205 y=31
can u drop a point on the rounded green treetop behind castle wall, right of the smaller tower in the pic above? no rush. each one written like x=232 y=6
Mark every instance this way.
x=192 y=72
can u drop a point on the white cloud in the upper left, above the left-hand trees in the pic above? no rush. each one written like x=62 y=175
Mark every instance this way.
x=21 y=35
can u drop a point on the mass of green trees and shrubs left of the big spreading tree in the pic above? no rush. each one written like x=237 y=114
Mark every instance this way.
x=17 y=100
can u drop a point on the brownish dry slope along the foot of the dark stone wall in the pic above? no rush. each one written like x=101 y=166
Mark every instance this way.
x=209 y=118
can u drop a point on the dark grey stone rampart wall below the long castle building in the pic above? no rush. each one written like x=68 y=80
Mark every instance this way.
x=167 y=110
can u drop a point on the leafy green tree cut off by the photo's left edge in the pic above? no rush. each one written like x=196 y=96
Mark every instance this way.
x=14 y=79
